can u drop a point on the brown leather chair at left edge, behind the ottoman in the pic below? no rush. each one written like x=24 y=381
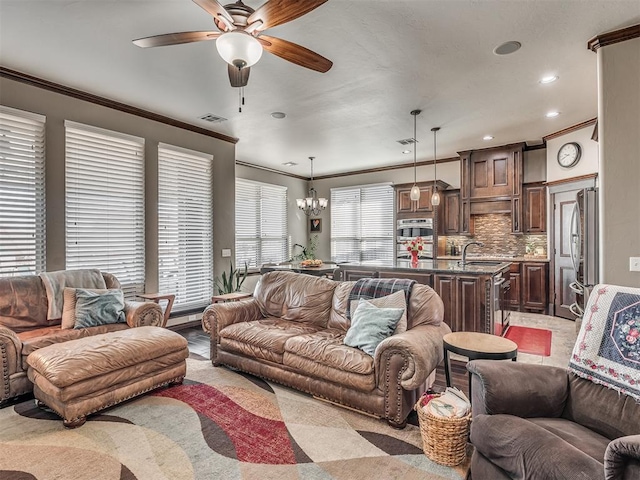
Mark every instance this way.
x=24 y=327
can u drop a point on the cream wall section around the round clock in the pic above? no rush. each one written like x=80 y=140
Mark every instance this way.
x=588 y=163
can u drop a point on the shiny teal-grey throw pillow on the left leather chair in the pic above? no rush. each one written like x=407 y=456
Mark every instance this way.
x=93 y=309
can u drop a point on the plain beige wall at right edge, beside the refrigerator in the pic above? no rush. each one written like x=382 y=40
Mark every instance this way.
x=619 y=172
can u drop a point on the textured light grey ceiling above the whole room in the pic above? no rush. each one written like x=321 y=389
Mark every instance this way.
x=389 y=56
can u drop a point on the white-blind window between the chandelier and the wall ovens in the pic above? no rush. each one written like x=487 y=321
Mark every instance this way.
x=362 y=223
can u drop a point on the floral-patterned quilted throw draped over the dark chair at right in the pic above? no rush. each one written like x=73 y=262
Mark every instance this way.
x=607 y=351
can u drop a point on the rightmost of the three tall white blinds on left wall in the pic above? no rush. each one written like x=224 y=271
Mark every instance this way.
x=185 y=236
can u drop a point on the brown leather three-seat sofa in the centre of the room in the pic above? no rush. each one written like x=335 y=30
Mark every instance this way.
x=292 y=332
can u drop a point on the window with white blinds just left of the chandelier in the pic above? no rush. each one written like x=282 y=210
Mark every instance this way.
x=261 y=223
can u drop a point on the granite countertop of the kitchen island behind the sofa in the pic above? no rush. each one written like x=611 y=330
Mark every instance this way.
x=484 y=267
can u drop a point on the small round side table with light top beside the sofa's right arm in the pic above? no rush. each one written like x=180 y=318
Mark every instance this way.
x=476 y=346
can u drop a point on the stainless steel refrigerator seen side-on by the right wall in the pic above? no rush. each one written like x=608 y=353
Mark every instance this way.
x=584 y=247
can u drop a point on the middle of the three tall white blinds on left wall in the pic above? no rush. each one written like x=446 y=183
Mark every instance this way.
x=105 y=204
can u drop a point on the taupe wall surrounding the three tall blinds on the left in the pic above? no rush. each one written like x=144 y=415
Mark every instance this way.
x=57 y=108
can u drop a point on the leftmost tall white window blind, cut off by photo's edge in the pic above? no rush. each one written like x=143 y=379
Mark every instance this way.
x=22 y=196
